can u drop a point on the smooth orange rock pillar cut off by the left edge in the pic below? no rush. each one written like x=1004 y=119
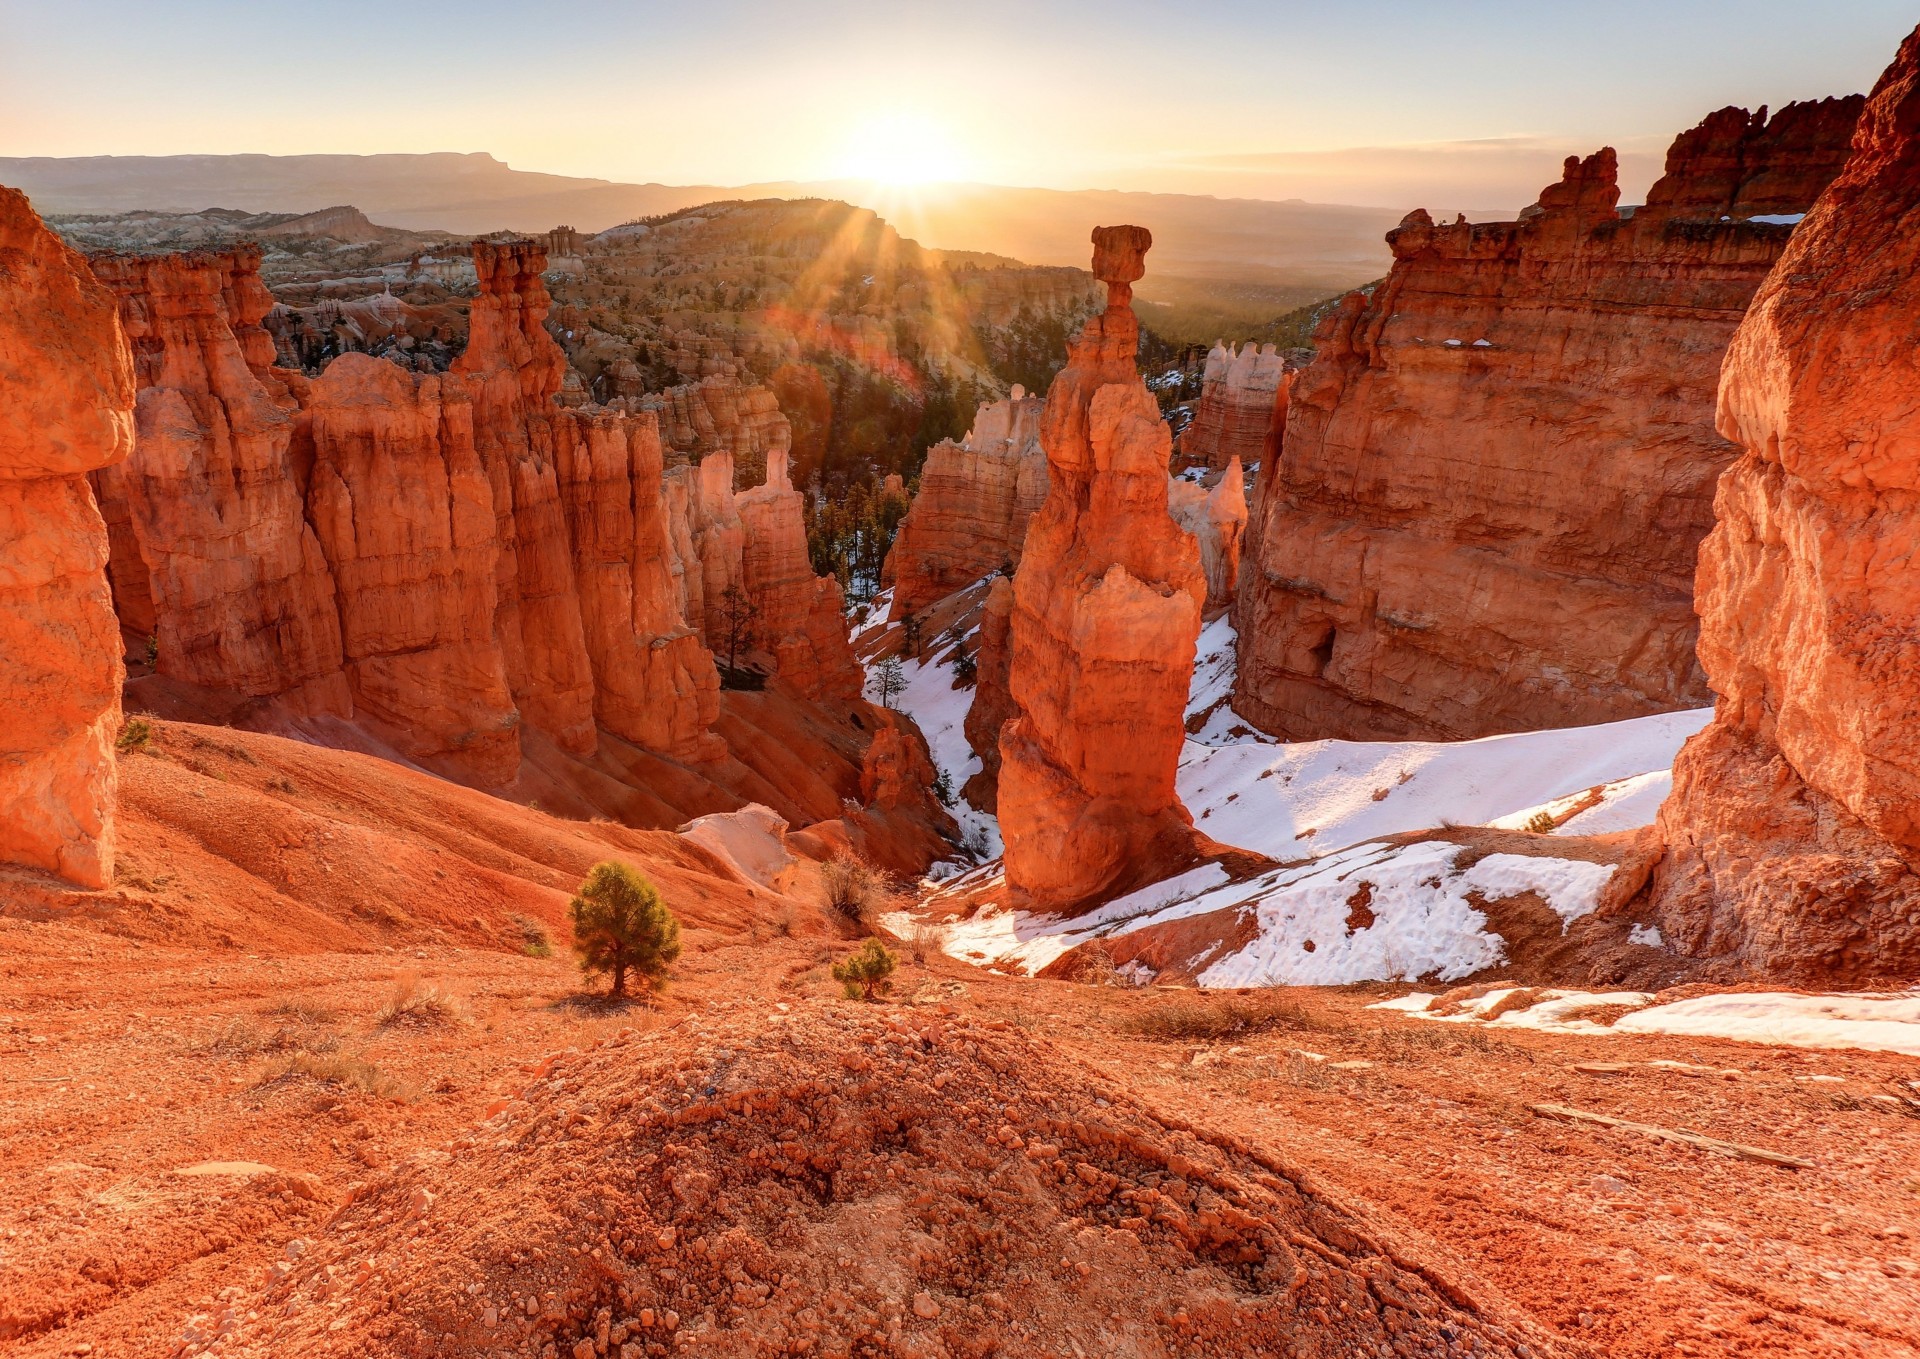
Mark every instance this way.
x=66 y=410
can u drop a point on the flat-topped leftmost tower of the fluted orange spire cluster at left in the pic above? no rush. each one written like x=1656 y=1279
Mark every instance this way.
x=212 y=554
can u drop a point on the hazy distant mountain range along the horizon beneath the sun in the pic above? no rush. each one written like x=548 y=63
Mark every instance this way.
x=1228 y=260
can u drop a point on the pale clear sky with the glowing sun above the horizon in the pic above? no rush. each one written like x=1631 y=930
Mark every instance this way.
x=1358 y=101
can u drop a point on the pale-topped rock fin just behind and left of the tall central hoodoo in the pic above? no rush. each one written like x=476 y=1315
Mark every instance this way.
x=974 y=504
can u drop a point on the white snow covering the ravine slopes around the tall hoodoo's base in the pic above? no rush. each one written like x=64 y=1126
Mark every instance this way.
x=1343 y=907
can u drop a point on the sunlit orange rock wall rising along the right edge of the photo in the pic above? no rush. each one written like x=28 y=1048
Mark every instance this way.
x=1794 y=826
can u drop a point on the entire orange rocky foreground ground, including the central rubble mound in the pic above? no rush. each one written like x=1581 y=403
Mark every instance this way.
x=241 y=1151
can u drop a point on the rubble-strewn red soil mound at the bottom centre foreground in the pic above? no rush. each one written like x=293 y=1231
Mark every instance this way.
x=846 y=1181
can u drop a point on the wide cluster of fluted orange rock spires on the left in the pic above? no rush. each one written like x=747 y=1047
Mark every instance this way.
x=439 y=558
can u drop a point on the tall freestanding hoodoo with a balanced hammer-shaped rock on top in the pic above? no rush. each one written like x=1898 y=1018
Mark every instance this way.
x=1107 y=609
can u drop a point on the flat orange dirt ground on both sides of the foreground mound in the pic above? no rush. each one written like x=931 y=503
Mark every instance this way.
x=153 y=1084
